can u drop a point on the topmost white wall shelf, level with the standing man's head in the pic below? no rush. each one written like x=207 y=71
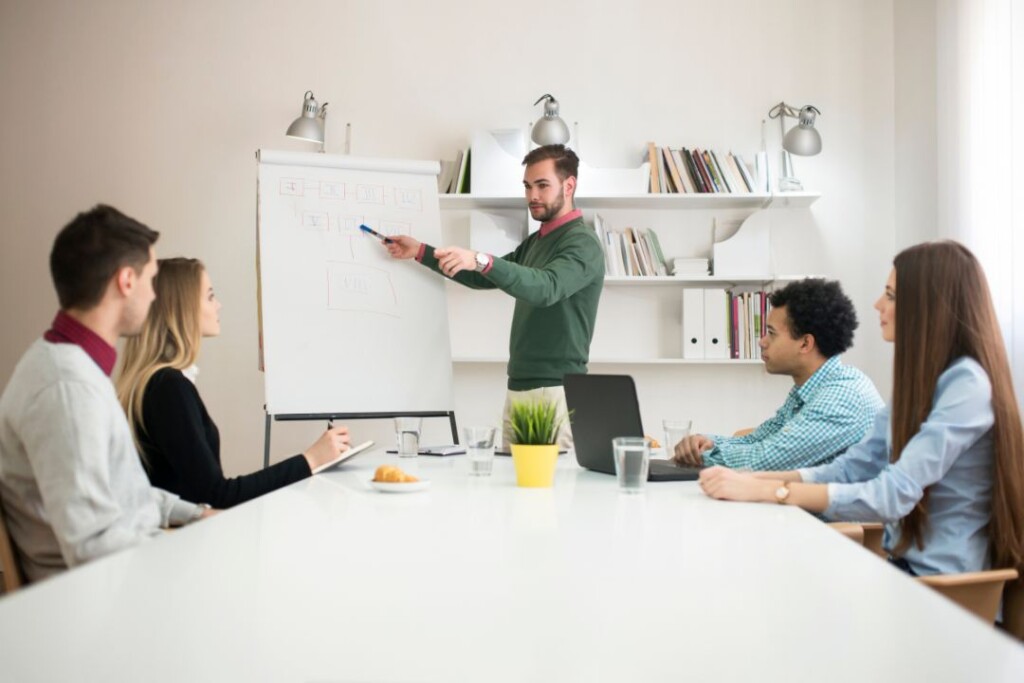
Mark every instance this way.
x=695 y=201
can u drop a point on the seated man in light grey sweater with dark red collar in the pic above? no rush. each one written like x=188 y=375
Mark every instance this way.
x=71 y=482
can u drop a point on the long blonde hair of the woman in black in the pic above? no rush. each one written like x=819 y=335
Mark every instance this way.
x=170 y=338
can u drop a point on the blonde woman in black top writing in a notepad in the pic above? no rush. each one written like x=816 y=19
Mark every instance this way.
x=179 y=441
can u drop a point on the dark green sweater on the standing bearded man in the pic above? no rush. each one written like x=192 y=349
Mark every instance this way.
x=557 y=281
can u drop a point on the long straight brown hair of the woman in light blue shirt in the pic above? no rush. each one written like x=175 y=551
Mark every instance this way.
x=945 y=312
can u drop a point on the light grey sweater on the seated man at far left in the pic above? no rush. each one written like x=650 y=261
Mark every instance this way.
x=71 y=482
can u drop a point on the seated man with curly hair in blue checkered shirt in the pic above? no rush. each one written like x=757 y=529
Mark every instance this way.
x=830 y=408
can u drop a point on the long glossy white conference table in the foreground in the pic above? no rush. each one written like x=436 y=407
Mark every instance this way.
x=476 y=580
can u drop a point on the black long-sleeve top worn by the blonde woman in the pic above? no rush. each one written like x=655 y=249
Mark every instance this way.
x=182 y=446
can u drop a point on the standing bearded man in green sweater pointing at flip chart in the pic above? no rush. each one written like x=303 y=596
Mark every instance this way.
x=556 y=276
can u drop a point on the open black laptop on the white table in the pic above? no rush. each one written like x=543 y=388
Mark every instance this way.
x=604 y=407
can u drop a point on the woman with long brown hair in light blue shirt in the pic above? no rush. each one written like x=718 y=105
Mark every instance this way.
x=944 y=465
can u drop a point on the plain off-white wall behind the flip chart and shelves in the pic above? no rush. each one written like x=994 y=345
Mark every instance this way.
x=158 y=108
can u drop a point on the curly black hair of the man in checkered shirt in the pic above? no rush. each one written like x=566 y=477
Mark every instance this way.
x=819 y=308
